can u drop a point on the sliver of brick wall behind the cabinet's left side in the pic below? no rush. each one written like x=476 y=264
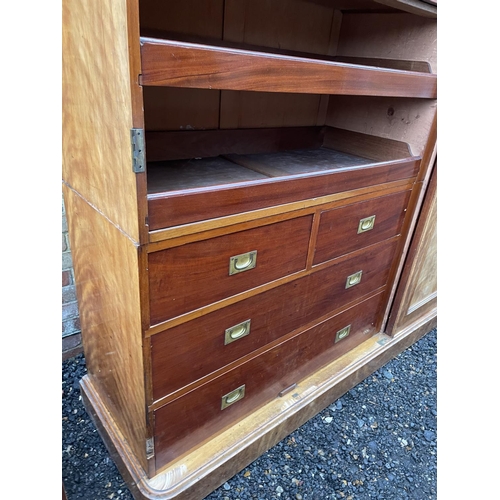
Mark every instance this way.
x=70 y=317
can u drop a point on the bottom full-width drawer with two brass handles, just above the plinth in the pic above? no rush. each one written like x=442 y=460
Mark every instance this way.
x=185 y=422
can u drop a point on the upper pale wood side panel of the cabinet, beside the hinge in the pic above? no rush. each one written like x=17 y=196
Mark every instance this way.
x=97 y=109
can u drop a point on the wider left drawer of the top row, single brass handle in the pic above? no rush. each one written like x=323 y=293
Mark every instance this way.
x=187 y=277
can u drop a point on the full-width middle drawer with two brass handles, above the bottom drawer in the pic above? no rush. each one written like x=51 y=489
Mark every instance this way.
x=192 y=350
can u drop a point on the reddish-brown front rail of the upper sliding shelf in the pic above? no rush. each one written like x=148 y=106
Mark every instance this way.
x=182 y=64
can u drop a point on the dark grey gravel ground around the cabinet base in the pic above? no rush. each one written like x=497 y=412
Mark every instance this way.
x=377 y=441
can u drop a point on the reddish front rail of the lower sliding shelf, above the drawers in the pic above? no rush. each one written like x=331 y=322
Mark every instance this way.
x=176 y=208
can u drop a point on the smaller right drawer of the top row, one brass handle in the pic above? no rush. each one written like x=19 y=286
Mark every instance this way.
x=348 y=228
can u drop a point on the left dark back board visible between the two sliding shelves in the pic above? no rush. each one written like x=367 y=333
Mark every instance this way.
x=170 y=108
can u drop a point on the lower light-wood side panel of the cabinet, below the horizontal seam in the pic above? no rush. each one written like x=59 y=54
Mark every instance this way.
x=106 y=266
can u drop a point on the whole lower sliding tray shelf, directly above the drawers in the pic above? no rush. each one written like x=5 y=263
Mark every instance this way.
x=287 y=166
